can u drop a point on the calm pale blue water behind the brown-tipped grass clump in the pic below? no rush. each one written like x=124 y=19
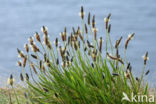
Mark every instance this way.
x=19 y=19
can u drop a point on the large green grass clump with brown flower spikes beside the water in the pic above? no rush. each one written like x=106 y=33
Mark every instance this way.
x=80 y=69
